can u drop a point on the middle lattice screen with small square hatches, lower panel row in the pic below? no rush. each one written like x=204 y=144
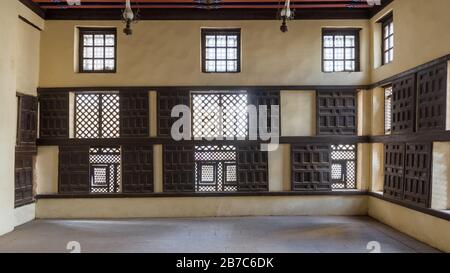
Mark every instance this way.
x=215 y=168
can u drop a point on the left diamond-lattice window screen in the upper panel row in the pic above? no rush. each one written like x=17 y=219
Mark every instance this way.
x=97 y=116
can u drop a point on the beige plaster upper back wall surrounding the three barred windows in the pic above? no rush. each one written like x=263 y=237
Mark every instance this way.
x=168 y=53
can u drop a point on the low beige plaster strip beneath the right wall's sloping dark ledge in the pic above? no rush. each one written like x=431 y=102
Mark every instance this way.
x=428 y=229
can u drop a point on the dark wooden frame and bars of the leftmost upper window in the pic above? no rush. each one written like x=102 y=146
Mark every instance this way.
x=93 y=31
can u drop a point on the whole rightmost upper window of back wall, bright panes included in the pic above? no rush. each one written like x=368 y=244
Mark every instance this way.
x=340 y=50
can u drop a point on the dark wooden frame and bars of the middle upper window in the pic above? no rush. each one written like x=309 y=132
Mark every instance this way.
x=221 y=31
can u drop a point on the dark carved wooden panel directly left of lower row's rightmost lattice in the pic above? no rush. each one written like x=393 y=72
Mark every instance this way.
x=310 y=164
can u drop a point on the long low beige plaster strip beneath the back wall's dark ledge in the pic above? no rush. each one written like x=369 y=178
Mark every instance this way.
x=201 y=206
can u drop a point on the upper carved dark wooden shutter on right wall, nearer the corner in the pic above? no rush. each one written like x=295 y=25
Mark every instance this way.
x=403 y=105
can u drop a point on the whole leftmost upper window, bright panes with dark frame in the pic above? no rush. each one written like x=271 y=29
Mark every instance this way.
x=97 y=50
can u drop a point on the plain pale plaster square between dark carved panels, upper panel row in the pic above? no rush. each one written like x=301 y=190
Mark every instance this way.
x=298 y=113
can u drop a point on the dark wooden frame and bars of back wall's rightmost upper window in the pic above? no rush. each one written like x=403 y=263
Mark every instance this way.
x=344 y=32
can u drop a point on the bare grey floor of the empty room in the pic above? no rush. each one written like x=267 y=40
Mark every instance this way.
x=246 y=234
